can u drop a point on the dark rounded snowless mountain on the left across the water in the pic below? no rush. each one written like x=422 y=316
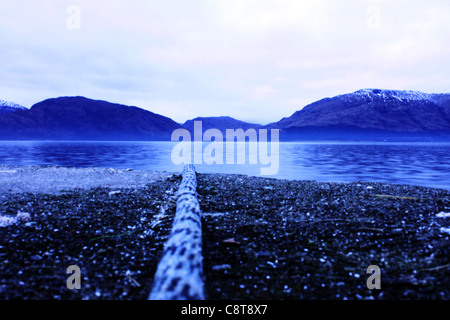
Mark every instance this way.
x=80 y=118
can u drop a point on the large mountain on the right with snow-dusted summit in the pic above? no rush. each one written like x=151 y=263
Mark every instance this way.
x=371 y=114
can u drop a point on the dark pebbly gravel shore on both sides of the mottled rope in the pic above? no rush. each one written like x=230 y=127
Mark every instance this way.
x=262 y=238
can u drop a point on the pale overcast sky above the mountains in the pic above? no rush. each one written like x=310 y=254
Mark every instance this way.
x=255 y=60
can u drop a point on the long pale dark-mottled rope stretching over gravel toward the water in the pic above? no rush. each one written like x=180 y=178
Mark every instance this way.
x=179 y=275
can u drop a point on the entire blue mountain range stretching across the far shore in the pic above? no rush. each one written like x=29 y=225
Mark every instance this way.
x=365 y=114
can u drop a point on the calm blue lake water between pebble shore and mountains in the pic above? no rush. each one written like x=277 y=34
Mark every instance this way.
x=426 y=164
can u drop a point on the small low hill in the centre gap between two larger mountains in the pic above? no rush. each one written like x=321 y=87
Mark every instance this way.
x=221 y=123
